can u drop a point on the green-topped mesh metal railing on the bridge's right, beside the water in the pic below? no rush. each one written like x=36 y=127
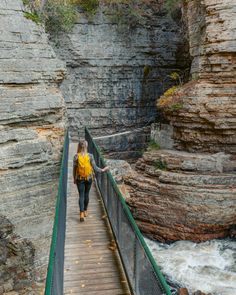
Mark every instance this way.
x=145 y=277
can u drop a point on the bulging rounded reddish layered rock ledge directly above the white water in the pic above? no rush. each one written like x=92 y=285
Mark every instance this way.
x=183 y=196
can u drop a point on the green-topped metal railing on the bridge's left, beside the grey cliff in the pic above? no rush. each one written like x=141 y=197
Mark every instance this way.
x=55 y=273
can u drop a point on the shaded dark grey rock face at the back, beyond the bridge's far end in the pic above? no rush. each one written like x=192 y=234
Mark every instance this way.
x=115 y=75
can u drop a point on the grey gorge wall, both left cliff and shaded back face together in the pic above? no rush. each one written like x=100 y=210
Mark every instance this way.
x=113 y=80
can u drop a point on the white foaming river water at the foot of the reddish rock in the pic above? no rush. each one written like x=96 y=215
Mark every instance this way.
x=209 y=266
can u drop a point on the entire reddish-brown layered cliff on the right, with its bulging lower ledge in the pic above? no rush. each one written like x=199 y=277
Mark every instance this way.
x=190 y=193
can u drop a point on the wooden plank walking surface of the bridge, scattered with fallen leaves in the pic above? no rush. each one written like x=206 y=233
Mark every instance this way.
x=90 y=266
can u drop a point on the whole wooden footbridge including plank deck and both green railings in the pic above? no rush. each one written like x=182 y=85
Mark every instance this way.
x=106 y=254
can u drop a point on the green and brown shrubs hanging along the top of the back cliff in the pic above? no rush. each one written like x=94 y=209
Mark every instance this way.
x=60 y=15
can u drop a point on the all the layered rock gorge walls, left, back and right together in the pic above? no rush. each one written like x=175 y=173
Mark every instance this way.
x=113 y=80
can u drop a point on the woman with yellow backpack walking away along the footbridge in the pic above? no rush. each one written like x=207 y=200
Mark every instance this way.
x=83 y=166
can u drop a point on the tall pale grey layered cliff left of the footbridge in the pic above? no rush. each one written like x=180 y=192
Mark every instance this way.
x=32 y=127
